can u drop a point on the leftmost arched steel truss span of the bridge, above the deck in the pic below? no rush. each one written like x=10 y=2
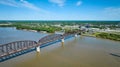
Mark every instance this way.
x=17 y=46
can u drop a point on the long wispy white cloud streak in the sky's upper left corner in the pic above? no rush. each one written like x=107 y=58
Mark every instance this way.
x=19 y=3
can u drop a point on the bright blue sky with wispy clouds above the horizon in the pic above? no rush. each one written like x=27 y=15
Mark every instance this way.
x=59 y=9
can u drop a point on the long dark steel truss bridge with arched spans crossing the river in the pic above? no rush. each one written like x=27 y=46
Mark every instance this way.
x=17 y=47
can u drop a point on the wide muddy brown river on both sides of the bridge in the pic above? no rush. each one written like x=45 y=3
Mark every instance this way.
x=76 y=52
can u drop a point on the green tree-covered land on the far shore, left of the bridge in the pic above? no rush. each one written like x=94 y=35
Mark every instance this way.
x=34 y=26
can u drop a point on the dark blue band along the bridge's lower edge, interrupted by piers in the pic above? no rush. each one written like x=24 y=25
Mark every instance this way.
x=29 y=50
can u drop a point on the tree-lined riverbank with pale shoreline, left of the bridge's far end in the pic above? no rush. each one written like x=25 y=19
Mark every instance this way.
x=34 y=28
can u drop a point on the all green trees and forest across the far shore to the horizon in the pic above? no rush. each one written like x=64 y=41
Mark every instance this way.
x=49 y=27
